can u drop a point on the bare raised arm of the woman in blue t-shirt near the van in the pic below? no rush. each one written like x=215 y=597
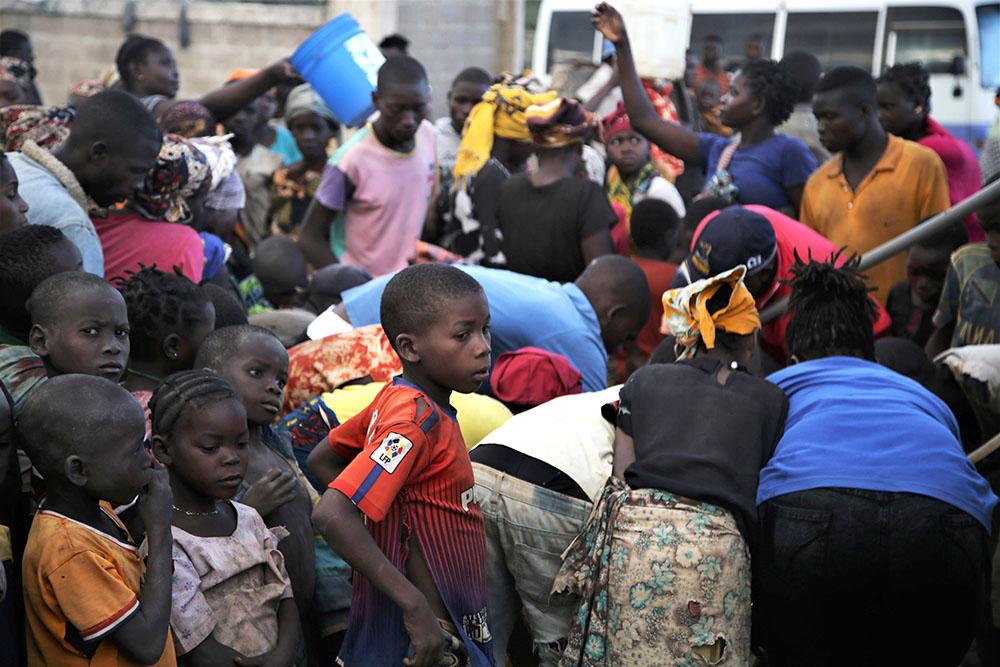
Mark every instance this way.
x=672 y=138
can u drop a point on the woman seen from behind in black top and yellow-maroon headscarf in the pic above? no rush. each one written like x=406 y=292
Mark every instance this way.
x=554 y=221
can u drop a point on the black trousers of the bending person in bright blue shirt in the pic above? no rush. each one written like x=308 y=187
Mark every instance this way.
x=856 y=577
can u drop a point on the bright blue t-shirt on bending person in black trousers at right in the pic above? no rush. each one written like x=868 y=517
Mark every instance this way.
x=854 y=424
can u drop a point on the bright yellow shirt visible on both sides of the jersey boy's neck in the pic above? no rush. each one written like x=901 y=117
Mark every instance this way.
x=478 y=415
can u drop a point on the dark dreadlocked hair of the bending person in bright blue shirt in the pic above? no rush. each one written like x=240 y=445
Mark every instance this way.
x=831 y=312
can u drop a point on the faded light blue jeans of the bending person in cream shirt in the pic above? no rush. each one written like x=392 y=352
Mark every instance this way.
x=527 y=529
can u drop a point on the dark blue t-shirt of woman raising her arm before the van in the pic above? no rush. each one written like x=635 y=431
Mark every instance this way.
x=763 y=172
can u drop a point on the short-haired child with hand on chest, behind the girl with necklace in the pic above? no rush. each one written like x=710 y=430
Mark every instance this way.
x=253 y=360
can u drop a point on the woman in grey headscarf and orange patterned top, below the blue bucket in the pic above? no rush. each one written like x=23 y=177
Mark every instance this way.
x=314 y=126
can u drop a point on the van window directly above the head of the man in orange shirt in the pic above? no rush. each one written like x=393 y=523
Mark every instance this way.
x=836 y=38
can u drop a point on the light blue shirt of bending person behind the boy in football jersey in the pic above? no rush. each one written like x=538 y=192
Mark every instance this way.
x=525 y=311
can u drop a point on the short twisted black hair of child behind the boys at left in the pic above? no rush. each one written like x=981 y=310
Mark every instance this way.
x=159 y=304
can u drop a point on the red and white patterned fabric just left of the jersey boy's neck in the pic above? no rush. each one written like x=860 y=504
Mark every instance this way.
x=319 y=366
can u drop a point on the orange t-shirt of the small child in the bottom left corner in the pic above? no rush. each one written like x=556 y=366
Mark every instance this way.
x=80 y=585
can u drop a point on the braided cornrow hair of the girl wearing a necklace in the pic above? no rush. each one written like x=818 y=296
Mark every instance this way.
x=185 y=391
